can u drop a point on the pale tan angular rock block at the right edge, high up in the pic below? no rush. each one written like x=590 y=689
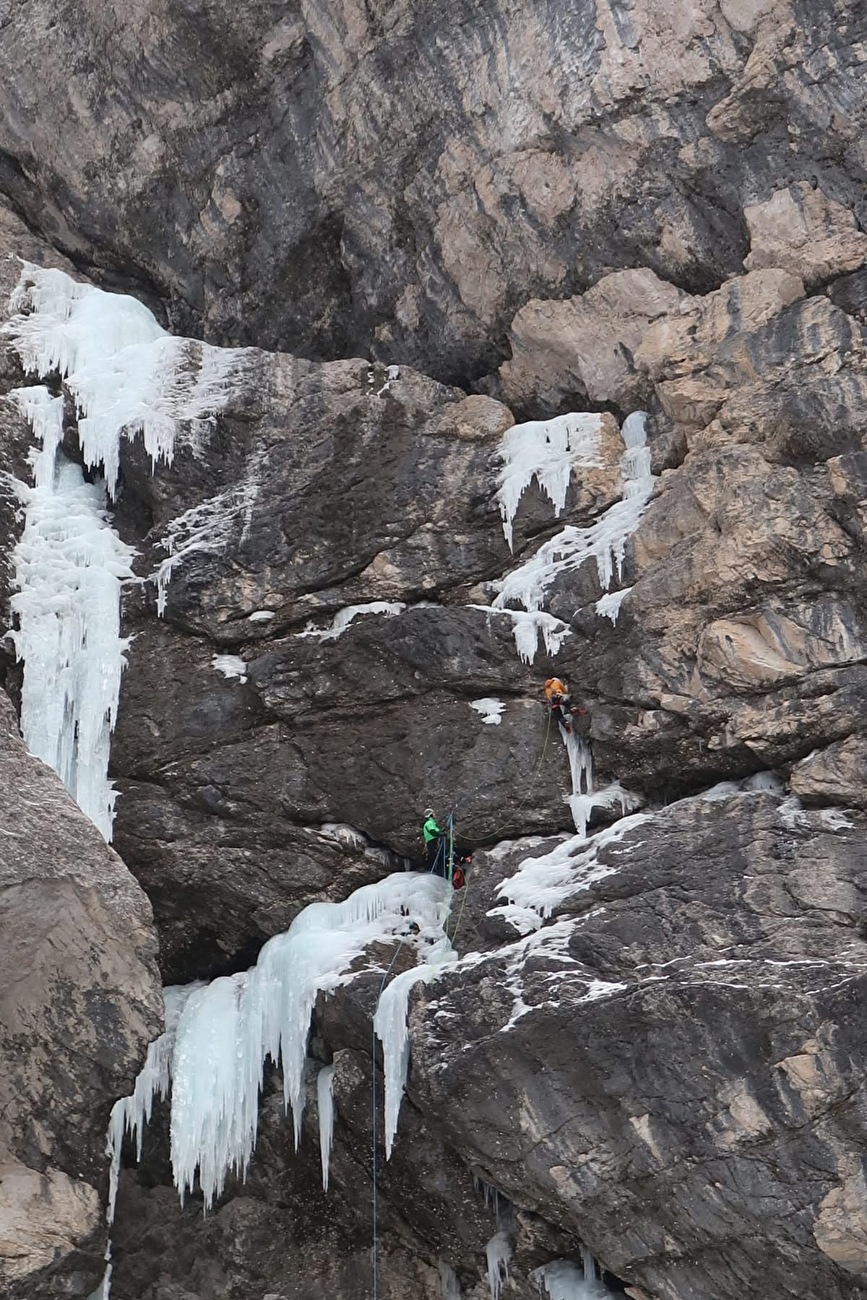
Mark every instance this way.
x=807 y=233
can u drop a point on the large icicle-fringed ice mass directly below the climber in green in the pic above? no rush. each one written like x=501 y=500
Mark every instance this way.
x=227 y=1030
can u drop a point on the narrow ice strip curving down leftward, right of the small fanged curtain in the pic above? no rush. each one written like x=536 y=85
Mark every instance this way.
x=605 y=541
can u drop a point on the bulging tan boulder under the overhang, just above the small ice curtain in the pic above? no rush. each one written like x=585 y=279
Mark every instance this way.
x=583 y=348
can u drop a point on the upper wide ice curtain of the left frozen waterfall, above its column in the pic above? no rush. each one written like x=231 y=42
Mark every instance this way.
x=124 y=371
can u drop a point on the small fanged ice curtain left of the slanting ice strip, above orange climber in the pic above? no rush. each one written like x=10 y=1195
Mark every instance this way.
x=547 y=450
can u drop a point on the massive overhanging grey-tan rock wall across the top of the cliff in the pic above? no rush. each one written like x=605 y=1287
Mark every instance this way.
x=259 y=172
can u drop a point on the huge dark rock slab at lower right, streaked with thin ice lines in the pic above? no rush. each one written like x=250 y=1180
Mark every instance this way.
x=683 y=1046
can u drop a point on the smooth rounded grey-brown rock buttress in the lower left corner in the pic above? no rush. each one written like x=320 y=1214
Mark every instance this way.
x=79 y=1004
